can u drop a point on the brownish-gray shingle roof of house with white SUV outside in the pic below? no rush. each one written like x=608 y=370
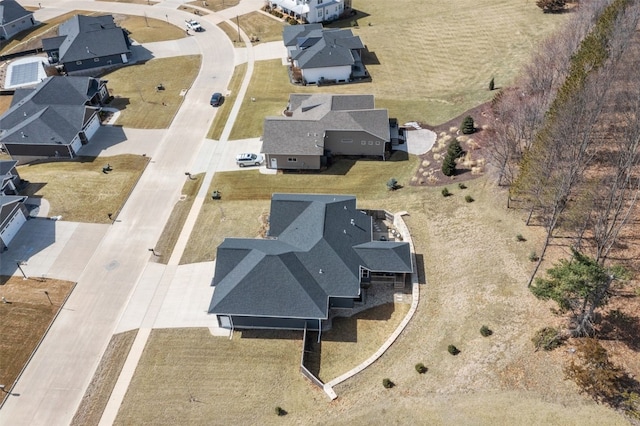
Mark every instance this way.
x=313 y=115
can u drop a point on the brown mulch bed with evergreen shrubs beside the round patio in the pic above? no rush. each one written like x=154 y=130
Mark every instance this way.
x=430 y=171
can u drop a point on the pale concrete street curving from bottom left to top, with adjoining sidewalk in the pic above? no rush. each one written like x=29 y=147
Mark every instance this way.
x=52 y=386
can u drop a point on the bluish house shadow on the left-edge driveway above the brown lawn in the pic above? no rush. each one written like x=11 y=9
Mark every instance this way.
x=34 y=236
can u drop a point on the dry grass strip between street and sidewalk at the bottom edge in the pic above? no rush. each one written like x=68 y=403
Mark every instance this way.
x=104 y=380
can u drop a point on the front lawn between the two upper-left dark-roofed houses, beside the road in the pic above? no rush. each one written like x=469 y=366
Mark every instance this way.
x=135 y=90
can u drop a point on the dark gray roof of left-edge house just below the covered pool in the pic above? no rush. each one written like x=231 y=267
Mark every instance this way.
x=53 y=112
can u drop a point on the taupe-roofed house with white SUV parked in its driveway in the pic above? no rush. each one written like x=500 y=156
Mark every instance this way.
x=316 y=127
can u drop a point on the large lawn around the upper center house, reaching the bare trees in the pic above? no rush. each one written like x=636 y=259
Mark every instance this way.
x=430 y=65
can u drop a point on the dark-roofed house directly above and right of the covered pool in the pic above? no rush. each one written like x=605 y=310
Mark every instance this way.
x=88 y=43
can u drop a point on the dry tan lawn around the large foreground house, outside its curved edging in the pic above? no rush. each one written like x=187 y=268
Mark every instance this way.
x=475 y=274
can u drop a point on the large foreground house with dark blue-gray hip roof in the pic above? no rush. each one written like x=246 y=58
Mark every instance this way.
x=318 y=256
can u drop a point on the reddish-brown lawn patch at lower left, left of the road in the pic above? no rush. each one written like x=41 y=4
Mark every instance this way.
x=25 y=319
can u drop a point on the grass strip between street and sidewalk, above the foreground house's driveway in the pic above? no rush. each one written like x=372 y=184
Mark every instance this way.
x=178 y=217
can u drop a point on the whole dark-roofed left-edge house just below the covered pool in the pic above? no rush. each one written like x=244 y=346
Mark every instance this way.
x=54 y=119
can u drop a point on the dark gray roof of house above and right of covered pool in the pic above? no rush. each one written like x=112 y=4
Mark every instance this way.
x=87 y=37
